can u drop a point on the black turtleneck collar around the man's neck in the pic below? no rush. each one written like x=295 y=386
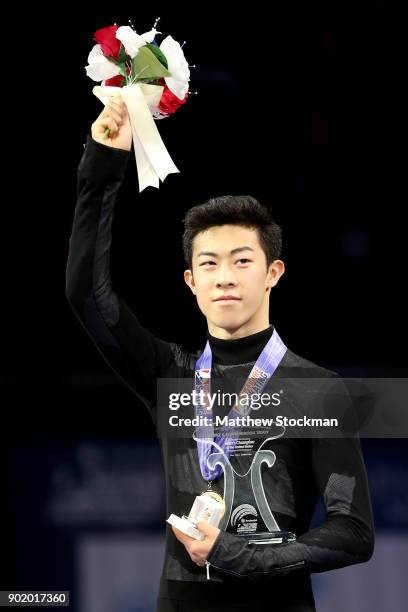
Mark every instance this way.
x=241 y=350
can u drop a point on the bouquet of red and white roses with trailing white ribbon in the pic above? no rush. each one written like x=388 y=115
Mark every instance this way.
x=153 y=81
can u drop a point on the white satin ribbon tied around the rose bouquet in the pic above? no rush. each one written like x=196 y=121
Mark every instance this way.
x=153 y=161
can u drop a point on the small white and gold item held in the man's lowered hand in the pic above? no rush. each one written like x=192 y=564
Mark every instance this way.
x=208 y=507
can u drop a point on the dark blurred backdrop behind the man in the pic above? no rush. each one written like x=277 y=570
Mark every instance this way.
x=299 y=105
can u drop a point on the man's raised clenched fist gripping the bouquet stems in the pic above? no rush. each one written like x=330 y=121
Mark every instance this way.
x=114 y=117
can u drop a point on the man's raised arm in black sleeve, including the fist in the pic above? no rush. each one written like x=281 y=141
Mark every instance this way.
x=134 y=353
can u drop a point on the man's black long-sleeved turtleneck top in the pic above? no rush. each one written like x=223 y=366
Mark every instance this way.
x=305 y=469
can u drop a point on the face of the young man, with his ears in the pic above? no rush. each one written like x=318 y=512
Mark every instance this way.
x=230 y=278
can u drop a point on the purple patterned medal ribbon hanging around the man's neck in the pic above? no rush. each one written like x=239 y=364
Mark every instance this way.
x=264 y=368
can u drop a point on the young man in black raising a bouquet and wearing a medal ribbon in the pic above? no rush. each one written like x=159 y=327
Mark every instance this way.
x=232 y=248
